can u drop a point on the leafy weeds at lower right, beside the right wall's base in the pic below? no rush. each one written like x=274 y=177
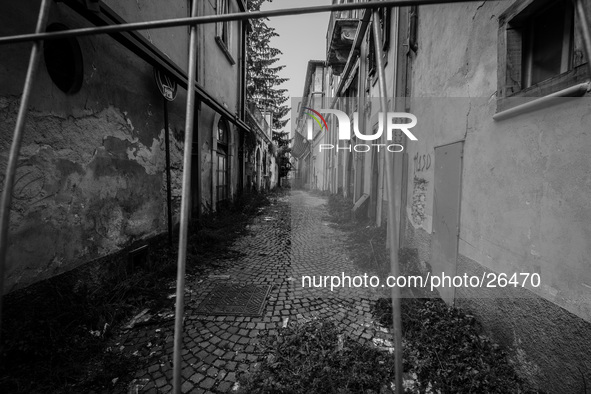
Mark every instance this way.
x=446 y=349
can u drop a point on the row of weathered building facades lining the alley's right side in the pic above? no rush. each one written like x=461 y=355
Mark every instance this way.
x=498 y=181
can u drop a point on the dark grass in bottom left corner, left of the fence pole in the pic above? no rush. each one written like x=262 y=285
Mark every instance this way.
x=53 y=332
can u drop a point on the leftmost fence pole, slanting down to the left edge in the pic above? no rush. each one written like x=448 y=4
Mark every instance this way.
x=17 y=138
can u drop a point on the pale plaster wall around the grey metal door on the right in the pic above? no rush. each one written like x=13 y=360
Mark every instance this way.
x=525 y=194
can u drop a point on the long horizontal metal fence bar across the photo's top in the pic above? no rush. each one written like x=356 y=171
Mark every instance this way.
x=238 y=16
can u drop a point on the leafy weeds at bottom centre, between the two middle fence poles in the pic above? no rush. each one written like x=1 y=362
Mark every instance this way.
x=314 y=358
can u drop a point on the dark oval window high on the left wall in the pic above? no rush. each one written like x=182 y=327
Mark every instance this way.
x=63 y=60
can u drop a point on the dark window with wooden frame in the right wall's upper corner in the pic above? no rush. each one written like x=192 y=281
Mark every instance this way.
x=540 y=51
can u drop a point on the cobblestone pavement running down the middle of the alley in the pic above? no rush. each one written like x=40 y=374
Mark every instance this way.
x=287 y=240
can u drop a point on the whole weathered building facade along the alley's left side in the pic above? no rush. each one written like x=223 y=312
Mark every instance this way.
x=91 y=178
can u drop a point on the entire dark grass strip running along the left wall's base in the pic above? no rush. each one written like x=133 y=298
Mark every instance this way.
x=55 y=332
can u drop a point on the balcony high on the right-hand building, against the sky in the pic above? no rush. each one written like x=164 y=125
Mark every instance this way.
x=342 y=28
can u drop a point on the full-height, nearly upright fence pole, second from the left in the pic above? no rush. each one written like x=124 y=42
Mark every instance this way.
x=185 y=204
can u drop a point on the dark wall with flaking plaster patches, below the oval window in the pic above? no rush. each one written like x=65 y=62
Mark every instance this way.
x=90 y=179
